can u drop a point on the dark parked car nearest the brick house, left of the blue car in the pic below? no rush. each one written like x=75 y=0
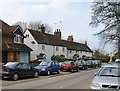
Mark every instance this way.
x=15 y=70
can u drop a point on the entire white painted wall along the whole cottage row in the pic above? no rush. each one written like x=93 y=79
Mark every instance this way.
x=50 y=50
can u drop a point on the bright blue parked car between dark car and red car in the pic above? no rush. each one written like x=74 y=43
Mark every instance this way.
x=48 y=66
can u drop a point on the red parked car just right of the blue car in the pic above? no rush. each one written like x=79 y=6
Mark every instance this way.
x=69 y=66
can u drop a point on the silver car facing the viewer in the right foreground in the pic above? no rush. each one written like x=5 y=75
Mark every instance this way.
x=108 y=77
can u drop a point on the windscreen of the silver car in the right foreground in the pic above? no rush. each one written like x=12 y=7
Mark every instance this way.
x=109 y=71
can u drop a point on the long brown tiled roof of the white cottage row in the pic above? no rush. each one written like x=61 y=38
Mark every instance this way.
x=50 y=39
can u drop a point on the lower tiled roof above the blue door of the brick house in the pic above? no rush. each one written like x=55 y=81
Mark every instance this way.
x=15 y=47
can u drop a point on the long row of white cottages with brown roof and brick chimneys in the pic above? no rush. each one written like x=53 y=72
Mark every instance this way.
x=47 y=45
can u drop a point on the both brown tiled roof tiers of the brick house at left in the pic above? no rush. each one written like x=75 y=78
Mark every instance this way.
x=8 y=30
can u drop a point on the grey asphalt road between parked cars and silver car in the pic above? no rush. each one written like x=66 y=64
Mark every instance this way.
x=78 y=80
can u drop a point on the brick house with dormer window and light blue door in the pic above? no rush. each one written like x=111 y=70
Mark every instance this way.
x=13 y=47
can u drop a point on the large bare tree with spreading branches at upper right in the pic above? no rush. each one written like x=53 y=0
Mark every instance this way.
x=108 y=14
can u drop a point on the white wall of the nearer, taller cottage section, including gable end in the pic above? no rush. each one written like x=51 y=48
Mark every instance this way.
x=49 y=51
